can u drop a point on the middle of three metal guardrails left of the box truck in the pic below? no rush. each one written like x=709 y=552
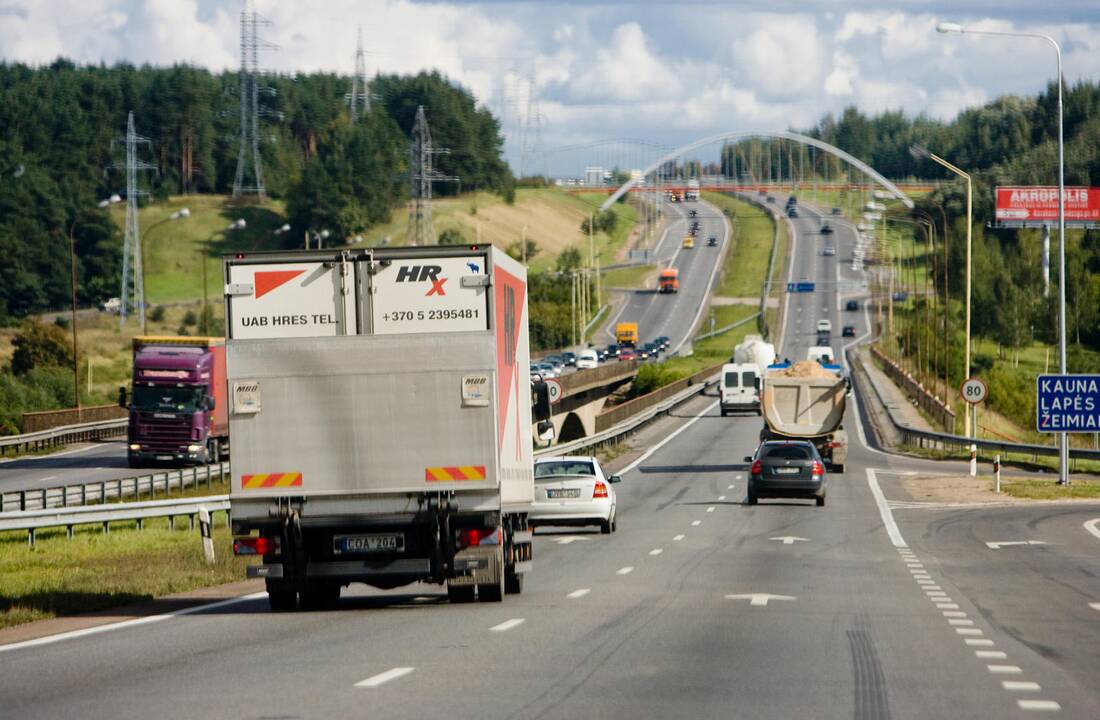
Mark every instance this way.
x=85 y=493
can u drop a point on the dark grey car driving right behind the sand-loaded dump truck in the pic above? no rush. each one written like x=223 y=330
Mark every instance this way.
x=787 y=470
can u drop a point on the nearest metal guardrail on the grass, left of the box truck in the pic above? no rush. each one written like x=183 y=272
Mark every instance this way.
x=34 y=520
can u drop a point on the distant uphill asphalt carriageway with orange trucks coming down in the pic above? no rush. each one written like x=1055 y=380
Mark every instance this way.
x=676 y=315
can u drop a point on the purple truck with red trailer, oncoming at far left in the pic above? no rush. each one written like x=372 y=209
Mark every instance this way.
x=178 y=403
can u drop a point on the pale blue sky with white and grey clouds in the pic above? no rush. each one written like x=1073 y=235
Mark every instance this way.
x=665 y=72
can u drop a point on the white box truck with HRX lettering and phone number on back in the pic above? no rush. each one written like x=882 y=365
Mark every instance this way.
x=381 y=415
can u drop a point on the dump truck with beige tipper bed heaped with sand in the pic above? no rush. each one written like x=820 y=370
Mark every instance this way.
x=807 y=402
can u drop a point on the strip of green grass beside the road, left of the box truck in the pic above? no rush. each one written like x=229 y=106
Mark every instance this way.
x=95 y=572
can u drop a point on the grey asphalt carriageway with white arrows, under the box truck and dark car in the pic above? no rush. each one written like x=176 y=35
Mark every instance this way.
x=700 y=607
